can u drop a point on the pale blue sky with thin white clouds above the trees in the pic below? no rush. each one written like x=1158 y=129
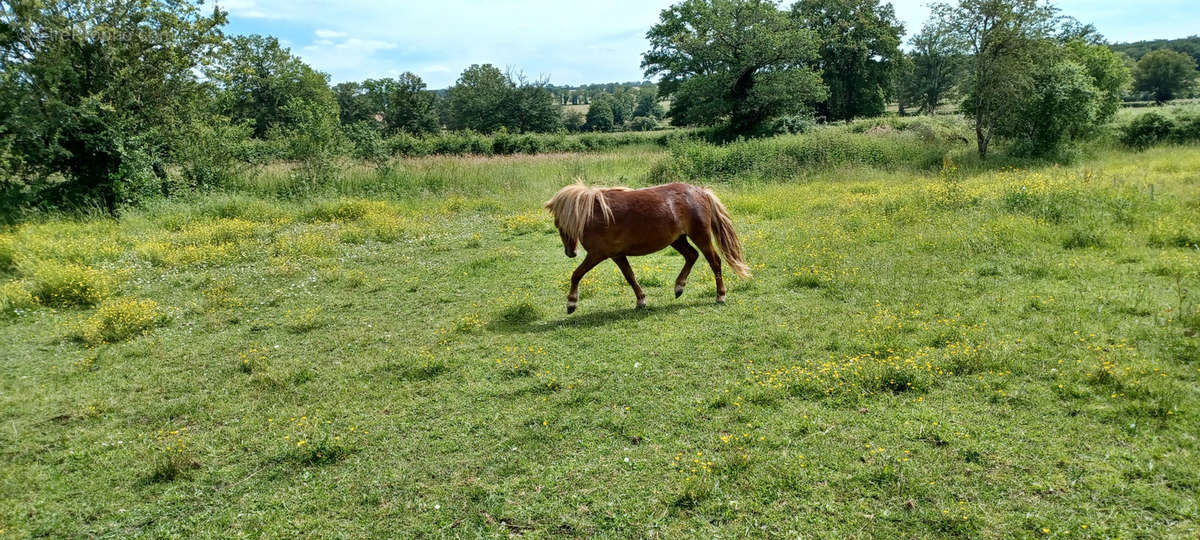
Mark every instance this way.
x=571 y=43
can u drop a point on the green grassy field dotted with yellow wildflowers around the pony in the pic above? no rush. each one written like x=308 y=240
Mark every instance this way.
x=956 y=353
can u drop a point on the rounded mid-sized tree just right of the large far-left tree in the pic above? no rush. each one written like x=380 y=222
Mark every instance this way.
x=260 y=79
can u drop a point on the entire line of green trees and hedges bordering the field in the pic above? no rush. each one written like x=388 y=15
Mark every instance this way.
x=100 y=99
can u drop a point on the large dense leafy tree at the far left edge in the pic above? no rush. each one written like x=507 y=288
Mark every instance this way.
x=98 y=91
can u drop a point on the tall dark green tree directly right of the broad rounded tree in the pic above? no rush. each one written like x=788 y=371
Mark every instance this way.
x=860 y=53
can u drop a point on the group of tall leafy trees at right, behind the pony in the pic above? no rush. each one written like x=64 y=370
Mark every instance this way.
x=1018 y=69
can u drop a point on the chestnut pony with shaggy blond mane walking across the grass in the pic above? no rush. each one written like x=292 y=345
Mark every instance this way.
x=616 y=224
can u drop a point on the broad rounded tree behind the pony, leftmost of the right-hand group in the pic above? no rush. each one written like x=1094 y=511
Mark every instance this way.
x=737 y=63
